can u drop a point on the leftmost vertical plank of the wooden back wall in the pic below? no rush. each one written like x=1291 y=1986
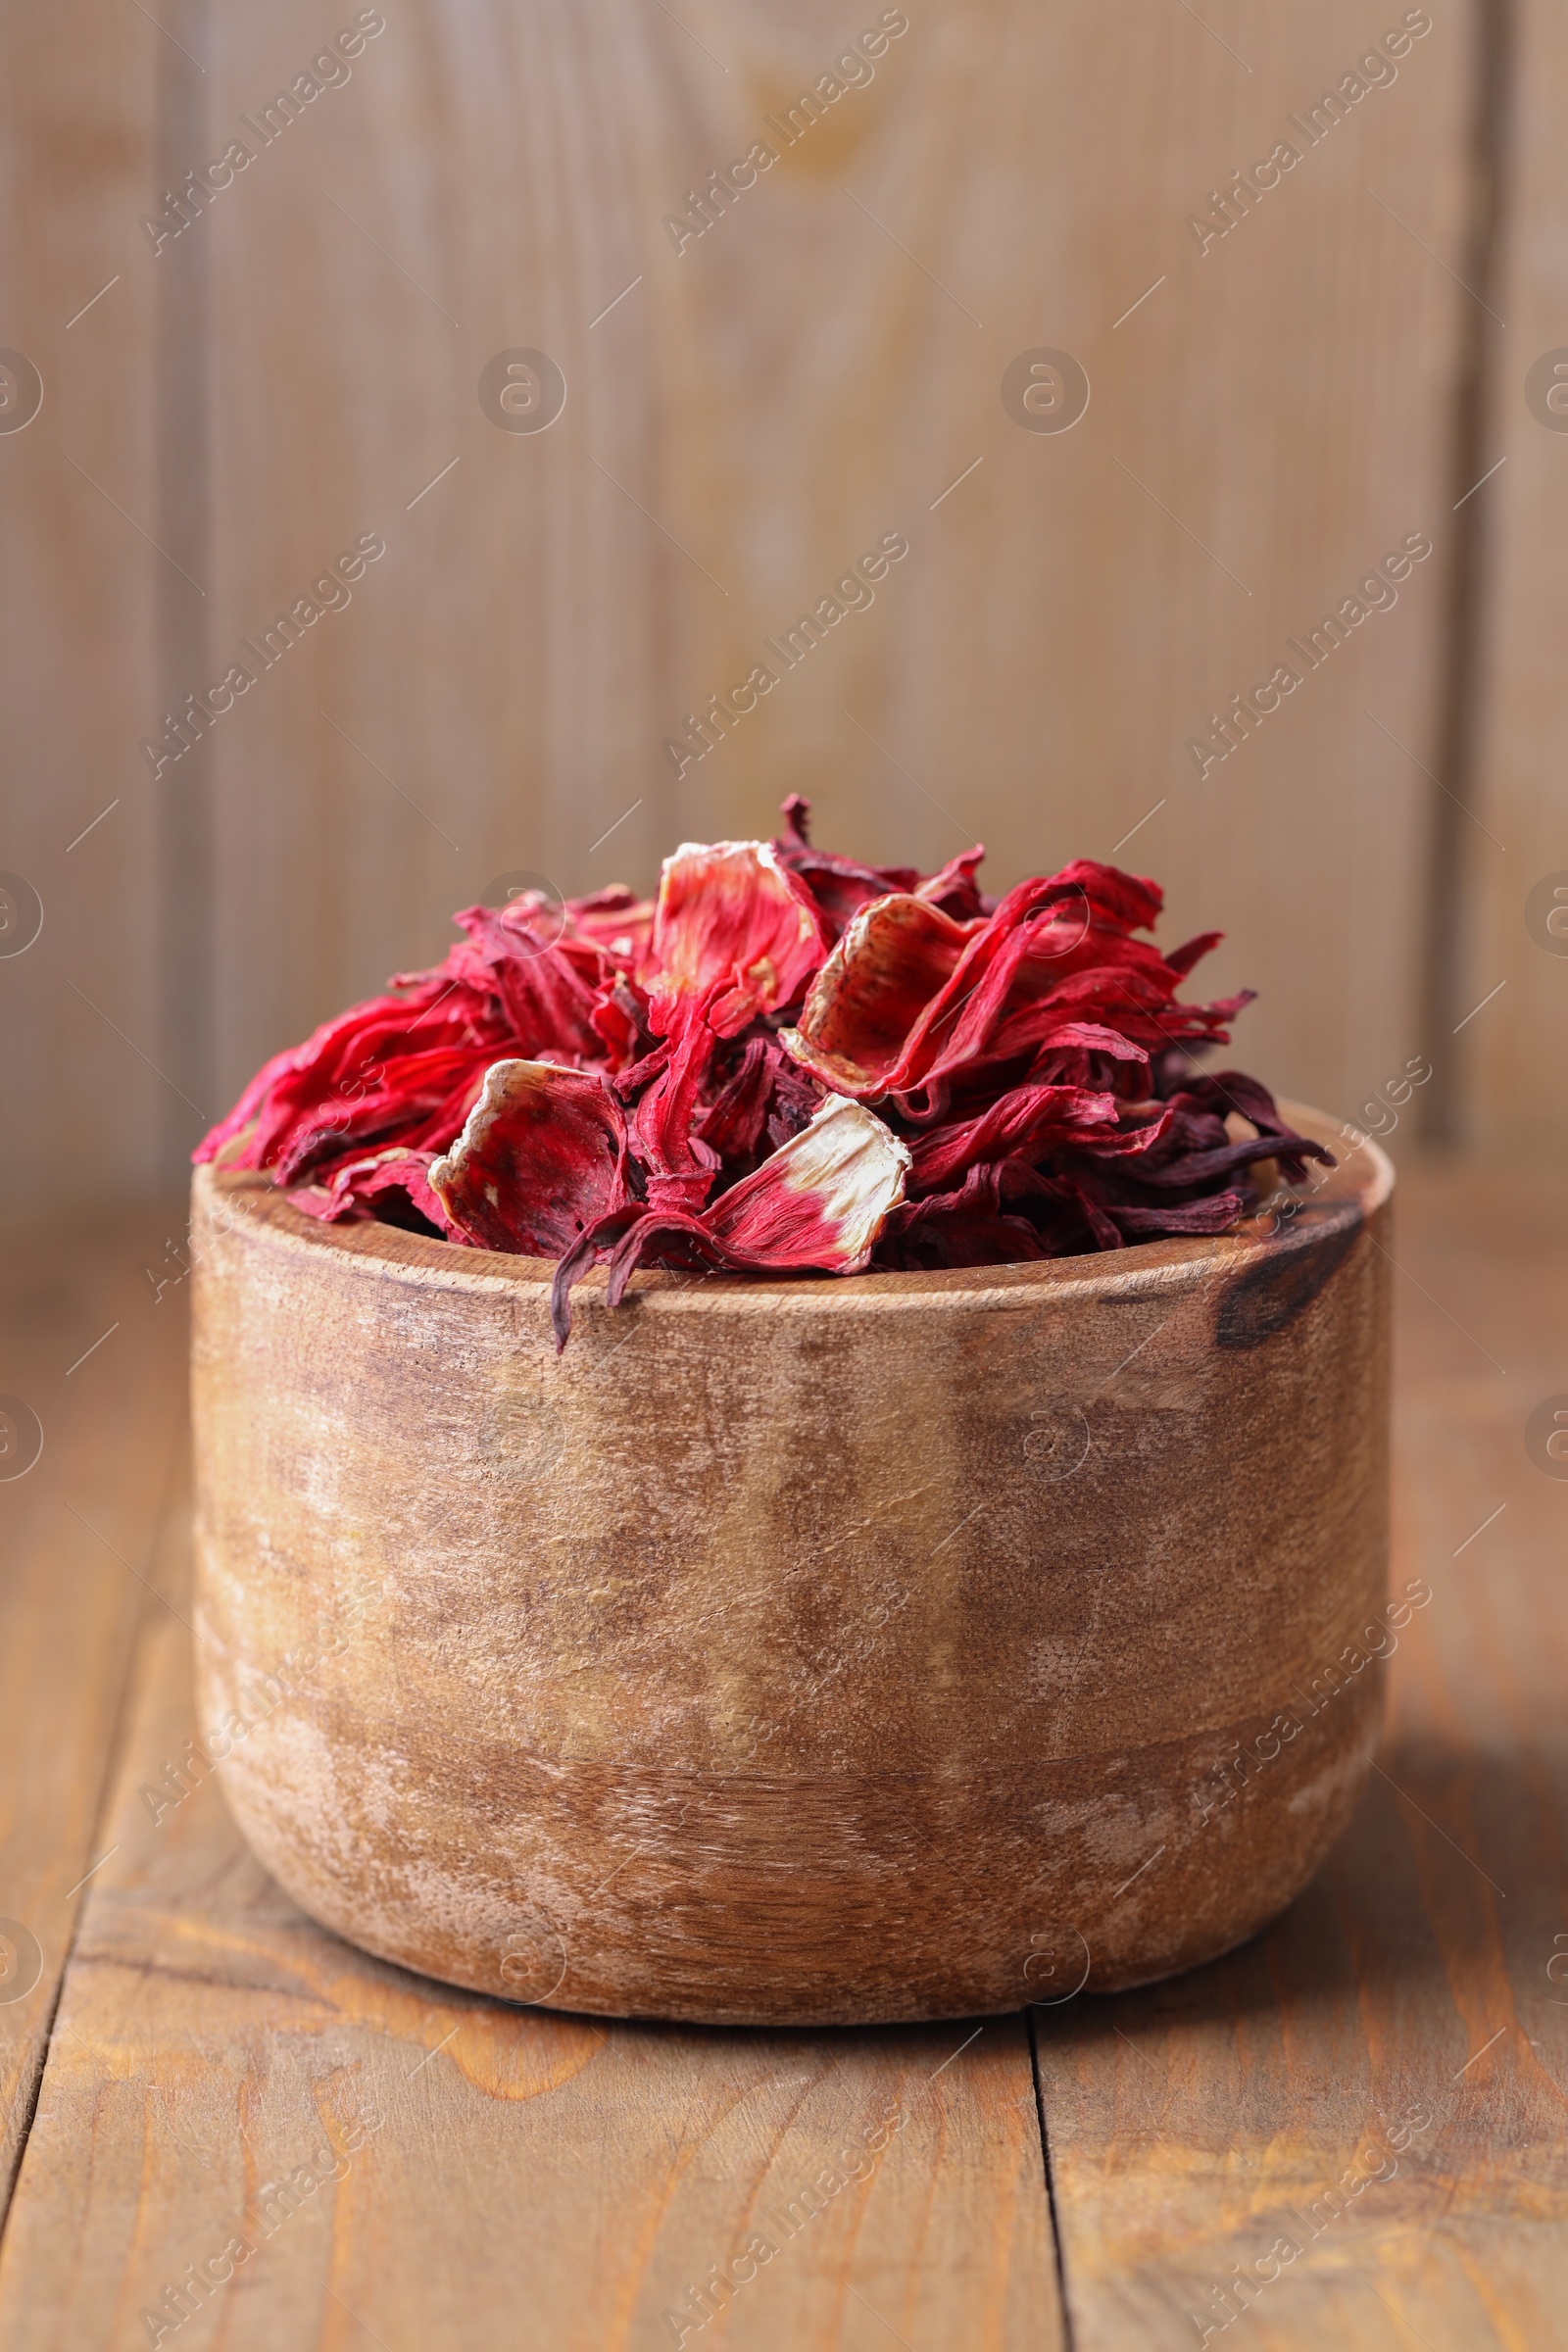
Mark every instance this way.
x=79 y=594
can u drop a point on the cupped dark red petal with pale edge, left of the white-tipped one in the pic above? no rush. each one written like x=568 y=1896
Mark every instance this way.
x=542 y=1156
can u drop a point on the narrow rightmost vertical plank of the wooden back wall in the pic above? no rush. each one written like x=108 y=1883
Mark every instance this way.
x=1510 y=947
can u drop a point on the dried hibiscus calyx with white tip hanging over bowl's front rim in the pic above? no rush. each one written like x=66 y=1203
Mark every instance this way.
x=815 y=1205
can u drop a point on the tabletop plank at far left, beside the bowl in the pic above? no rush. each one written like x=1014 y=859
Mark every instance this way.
x=100 y=1375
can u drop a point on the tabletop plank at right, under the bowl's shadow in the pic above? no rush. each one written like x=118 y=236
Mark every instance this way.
x=1414 y=1989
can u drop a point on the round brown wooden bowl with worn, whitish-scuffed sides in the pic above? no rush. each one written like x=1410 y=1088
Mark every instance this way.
x=793 y=1652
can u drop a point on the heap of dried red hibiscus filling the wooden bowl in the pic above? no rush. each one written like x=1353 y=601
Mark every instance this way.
x=786 y=1062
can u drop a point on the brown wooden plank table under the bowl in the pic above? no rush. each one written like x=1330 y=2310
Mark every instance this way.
x=1362 y=2111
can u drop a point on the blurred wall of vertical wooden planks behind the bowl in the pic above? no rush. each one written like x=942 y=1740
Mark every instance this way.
x=1268 y=420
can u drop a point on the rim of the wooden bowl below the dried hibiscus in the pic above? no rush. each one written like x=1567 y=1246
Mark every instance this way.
x=1365 y=1177
